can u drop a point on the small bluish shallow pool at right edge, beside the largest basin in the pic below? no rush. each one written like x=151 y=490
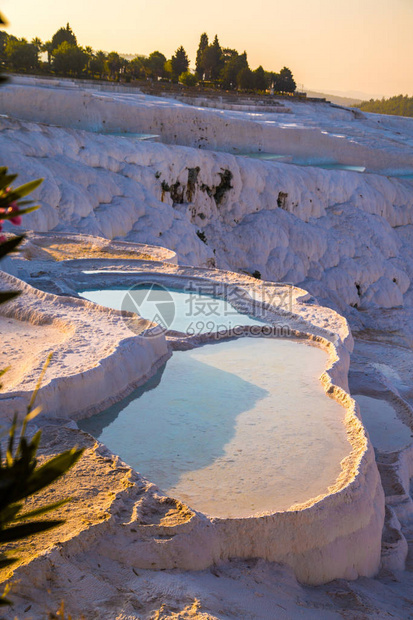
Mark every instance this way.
x=387 y=432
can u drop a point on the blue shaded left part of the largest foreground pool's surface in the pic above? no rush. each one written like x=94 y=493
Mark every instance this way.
x=182 y=425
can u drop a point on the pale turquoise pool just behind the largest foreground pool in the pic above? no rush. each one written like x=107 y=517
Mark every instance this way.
x=190 y=312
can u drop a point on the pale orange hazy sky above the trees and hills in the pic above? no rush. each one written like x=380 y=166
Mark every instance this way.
x=330 y=45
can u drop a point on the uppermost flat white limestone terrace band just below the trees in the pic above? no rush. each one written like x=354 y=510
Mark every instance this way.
x=321 y=132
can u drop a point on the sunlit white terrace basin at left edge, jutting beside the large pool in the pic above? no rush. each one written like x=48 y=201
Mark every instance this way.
x=95 y=361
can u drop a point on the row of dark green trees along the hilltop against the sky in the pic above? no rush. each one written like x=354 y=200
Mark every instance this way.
x=215 y=66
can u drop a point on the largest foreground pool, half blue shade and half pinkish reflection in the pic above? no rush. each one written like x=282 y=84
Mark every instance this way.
x=232 y=429
